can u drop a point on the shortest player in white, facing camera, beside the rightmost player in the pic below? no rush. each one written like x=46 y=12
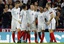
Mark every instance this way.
x=41 y=23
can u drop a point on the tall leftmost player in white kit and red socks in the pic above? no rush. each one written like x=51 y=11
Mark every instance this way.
x=15 y=25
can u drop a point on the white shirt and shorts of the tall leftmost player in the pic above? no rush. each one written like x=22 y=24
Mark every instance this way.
x=15 y=18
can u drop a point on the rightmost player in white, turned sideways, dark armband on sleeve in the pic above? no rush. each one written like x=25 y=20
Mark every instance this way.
x=50 y=16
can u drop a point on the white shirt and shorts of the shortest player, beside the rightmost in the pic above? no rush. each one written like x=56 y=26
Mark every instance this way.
x=41 y=21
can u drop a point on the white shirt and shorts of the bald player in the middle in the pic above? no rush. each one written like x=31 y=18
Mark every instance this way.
x=31 y=19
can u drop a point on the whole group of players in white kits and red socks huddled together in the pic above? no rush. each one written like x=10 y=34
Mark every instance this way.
x=25 y=21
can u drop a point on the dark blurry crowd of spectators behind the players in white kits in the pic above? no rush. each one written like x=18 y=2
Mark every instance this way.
x=7 y=5
